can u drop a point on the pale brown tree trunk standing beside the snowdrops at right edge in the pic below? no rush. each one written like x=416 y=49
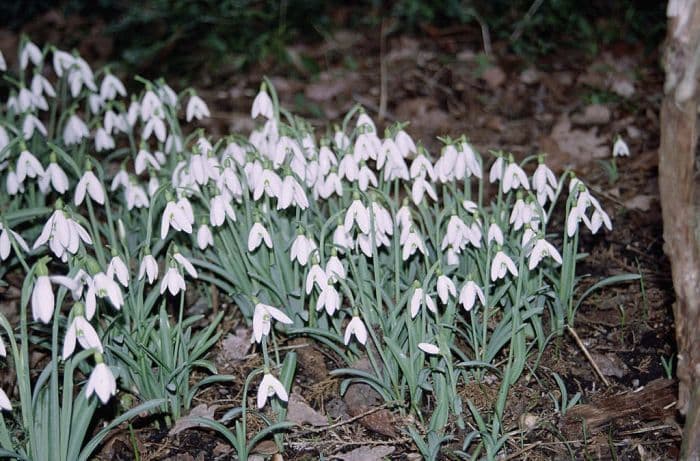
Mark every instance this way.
x=679 y=130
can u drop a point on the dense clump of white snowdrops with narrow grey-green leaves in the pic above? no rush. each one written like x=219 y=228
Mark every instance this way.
x=380 y=250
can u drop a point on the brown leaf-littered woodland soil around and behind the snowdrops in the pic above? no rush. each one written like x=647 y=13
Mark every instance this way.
x=571 y=105
